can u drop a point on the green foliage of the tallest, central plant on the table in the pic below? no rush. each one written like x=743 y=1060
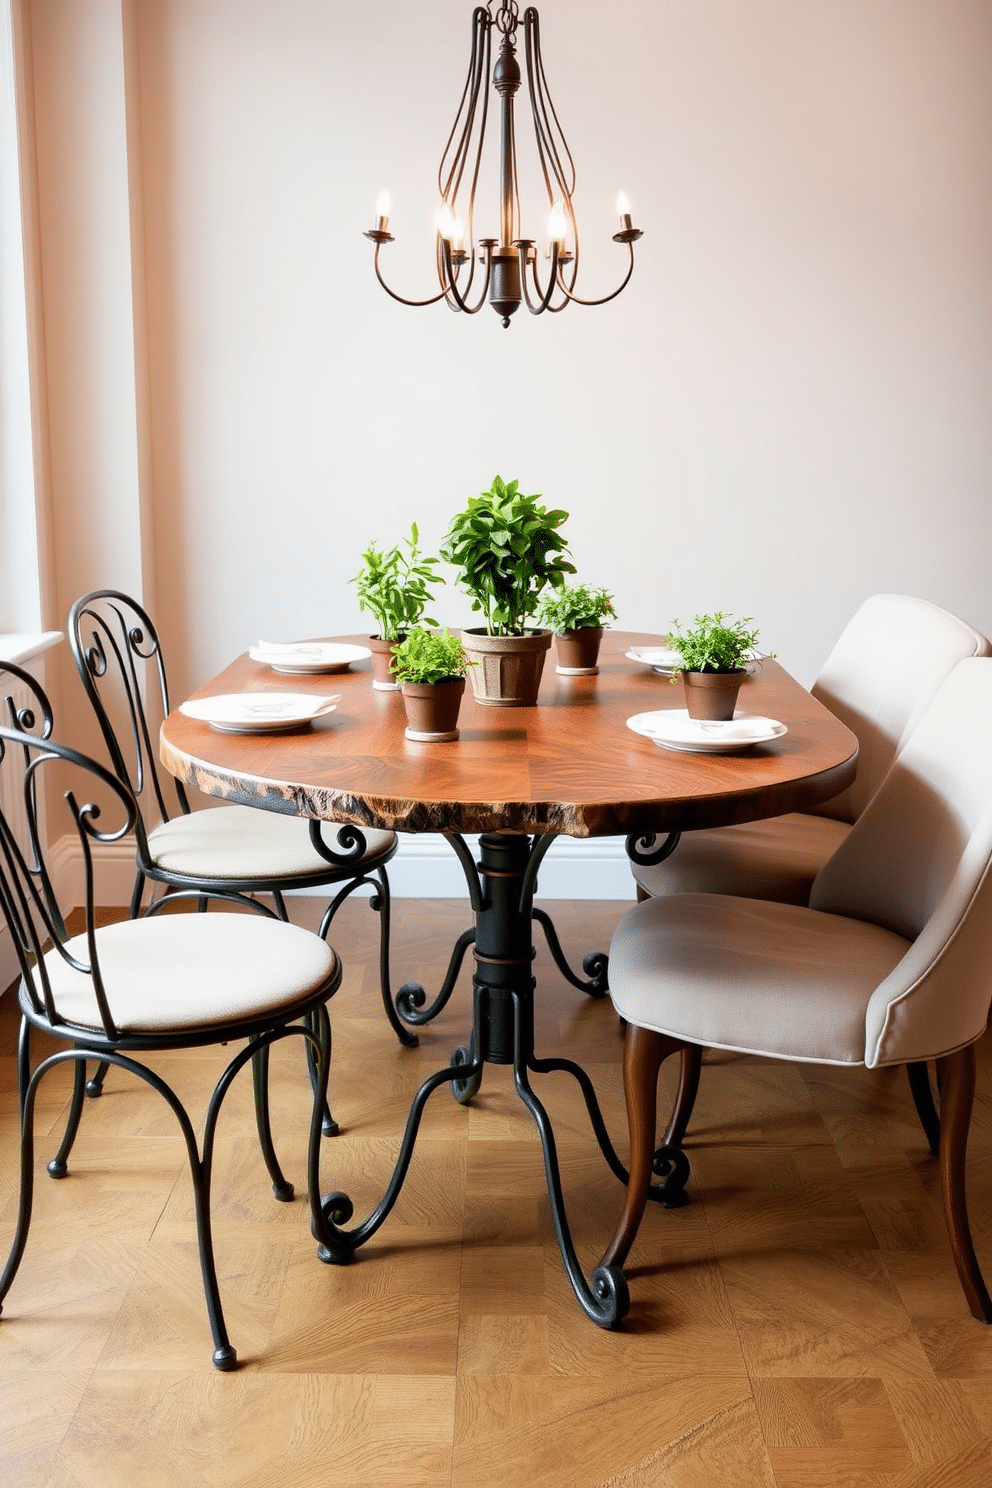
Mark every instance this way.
x=508 y=550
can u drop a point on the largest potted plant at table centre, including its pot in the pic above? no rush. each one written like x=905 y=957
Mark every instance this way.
x=508 y=550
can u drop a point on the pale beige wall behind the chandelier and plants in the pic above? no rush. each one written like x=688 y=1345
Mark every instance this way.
x=786 y=411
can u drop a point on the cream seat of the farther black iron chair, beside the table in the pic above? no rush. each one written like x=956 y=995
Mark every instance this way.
x=237 y=843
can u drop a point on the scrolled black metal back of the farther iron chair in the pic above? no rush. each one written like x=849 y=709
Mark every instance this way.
x=120 y=660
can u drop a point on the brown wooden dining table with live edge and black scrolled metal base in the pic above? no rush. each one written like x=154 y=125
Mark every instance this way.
x=520 y=777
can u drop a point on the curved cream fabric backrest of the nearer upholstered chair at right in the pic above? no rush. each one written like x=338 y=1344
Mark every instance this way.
x=917 y=862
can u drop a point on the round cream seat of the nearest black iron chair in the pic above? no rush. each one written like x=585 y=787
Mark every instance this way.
x=190 y=972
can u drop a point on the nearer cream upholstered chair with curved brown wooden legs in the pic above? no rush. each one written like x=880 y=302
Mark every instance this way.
x=890 y=963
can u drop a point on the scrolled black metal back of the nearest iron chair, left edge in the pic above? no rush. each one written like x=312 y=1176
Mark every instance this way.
x=28 y=894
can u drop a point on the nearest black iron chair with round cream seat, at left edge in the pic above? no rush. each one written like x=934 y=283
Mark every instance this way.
x=166 y=981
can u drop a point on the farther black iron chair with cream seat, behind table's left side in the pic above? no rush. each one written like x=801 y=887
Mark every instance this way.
x=219 y=850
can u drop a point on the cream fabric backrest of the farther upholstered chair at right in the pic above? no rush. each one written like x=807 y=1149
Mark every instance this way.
x=883 y=673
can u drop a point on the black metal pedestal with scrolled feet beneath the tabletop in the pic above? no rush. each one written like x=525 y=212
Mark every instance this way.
x=502 y=892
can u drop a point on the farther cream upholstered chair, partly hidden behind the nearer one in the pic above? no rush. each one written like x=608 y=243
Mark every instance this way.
x=880 y=678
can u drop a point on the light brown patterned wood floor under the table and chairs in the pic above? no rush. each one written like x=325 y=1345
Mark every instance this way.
x=799 y=1324
